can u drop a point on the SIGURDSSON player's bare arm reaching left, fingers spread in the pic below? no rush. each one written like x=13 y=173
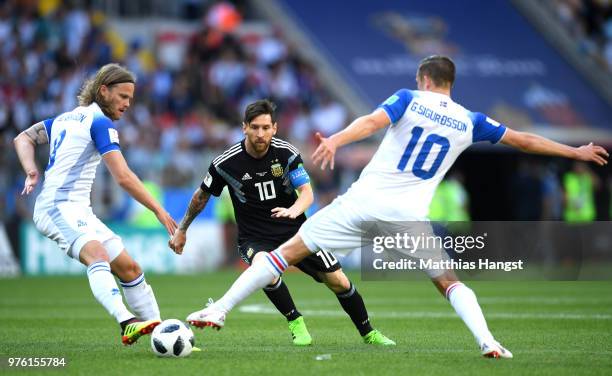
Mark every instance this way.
x=360 y=128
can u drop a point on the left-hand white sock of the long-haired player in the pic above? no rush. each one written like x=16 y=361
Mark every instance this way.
x=106 y=291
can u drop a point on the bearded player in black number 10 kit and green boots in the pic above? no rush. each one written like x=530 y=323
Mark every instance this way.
x=270 y=190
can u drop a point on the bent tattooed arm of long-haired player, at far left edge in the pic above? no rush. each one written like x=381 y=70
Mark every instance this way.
x=25 y=146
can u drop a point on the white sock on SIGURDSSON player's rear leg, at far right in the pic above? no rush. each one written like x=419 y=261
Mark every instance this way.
x=463 y=299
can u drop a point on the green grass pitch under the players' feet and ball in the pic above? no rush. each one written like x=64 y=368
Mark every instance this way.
x=553 y=328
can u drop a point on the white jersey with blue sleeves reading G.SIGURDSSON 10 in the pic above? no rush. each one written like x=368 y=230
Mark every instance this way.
x=428 y=132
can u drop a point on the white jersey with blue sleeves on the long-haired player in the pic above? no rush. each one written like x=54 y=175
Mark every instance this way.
x=77 y=140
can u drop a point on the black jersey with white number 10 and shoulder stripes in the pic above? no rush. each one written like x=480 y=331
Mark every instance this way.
x=256 y=186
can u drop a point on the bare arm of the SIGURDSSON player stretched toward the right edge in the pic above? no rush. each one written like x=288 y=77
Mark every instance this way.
x=532 y=143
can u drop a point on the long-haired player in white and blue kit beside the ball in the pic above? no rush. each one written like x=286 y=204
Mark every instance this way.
x=79 y=140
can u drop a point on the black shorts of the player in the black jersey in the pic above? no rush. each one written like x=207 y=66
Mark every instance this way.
x=320 y=262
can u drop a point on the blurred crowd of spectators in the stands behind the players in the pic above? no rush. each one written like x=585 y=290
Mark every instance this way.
x=182 y=115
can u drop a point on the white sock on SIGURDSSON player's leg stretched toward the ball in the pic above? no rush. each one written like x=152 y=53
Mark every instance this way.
x=259 y=275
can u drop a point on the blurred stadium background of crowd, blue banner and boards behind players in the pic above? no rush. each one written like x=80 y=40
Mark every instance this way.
x=540 y=66
